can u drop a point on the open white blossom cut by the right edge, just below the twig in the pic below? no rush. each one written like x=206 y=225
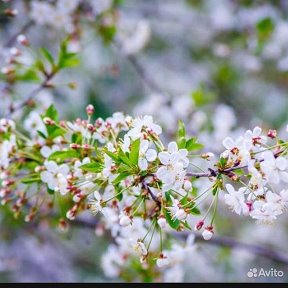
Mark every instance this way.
x=274 y=168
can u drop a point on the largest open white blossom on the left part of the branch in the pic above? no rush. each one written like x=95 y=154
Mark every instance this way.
x=55 y=176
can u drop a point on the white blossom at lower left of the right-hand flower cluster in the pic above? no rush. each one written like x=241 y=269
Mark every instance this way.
x=236 y=199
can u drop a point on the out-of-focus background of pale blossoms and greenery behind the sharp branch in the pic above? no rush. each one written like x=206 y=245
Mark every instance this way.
x=220 y=66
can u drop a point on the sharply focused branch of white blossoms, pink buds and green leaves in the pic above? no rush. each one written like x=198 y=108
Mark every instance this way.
x=120 y=168
